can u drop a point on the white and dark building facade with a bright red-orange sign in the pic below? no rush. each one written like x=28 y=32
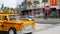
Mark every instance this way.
x=39 y=9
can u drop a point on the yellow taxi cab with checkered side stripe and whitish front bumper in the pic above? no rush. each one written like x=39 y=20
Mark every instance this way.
x=13 y=24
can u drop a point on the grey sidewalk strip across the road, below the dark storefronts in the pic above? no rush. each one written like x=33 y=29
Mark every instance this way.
x=47 y=21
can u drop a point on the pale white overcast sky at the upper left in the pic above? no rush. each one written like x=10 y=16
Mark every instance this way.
x=10 y=3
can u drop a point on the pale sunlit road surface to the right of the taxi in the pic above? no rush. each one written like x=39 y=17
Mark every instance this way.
x=47 y=29
